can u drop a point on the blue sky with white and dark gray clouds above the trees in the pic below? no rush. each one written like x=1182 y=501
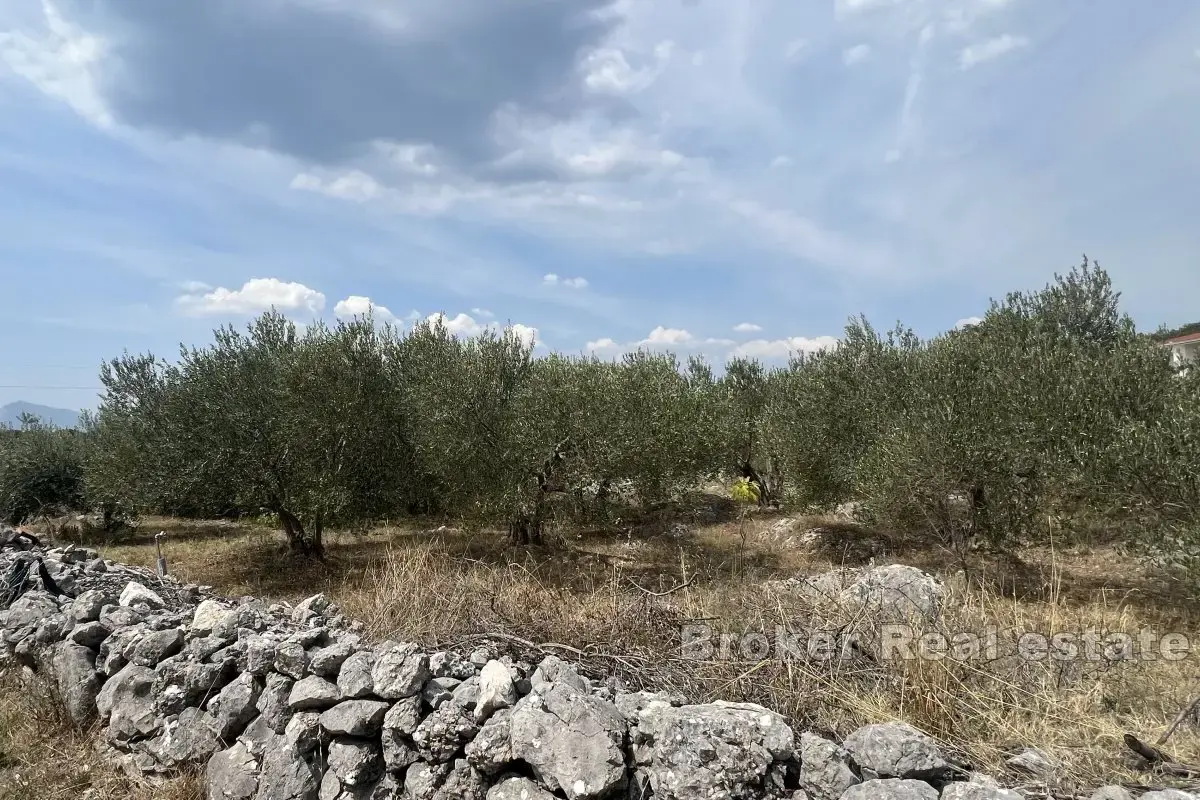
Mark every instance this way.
x=716 y=177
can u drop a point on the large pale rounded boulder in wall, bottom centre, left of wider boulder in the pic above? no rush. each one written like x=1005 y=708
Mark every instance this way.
x=573 y=742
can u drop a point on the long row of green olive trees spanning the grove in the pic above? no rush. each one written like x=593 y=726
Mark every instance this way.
x=1054 y=401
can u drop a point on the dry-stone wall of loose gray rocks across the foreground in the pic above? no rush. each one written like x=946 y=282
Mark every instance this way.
x=293 y=703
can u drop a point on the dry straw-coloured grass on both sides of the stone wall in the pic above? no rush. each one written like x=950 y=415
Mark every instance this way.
x=617 y=603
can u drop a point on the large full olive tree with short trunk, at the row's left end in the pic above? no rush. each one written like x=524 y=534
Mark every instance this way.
x=295 y=424
